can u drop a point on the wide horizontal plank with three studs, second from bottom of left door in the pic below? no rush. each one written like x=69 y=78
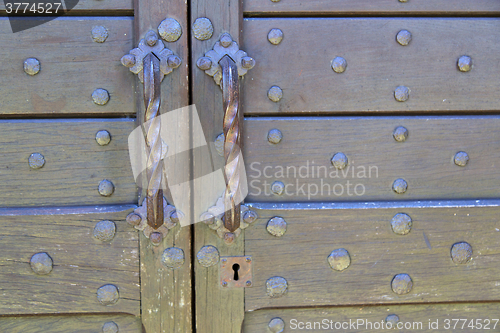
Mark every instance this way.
x=81 y=263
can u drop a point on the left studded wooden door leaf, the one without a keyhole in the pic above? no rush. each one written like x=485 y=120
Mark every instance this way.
x=70 y=262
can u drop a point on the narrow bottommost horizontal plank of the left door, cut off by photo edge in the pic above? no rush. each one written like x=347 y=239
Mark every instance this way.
x=73 y=324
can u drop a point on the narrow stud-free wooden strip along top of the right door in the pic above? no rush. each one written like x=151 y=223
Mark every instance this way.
x=367 y=7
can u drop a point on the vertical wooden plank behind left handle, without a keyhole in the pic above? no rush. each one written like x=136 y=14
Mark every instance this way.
x=166 y=293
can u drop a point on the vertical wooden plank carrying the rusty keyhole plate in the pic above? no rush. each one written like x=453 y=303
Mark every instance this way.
x=217 y=309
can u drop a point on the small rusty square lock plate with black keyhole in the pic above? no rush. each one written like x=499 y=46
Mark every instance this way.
x=235 y=272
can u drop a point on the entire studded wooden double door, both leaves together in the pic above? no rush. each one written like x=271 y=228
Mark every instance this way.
x=370 y=142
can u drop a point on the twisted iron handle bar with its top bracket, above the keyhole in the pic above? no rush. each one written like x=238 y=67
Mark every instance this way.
x=226 y=63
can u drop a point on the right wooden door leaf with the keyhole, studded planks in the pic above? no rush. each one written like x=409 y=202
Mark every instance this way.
x=370 y=143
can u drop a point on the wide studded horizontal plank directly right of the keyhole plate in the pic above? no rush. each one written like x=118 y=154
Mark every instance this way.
x=377 y=253
